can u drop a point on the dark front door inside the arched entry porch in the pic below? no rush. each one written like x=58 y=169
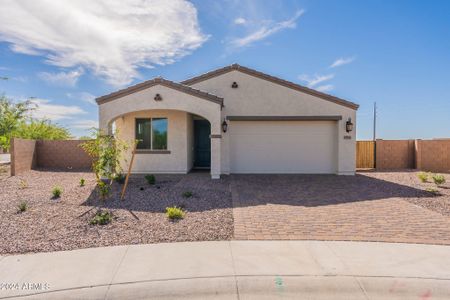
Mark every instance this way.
x=202 y=144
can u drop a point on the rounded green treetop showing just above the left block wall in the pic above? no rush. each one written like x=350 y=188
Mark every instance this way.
x=40 y=130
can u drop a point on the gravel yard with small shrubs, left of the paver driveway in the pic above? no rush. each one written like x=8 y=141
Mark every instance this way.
x=52 y=224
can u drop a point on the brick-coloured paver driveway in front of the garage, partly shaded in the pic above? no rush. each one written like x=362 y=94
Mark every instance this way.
x=365 y=207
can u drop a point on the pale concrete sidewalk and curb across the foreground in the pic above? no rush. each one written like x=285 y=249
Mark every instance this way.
x=232 y=270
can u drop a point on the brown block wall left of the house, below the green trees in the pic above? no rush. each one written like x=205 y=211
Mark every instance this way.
x=62 y=155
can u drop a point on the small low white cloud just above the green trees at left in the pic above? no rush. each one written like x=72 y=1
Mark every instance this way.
x=54 y=112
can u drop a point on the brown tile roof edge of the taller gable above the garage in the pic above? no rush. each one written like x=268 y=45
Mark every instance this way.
x=270 y=78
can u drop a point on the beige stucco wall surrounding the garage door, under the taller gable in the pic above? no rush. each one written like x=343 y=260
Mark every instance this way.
x=256 y=96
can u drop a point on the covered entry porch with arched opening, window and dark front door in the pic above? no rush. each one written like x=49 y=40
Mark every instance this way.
x=177 y=127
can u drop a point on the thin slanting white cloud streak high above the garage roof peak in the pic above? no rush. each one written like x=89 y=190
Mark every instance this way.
x=266 y=31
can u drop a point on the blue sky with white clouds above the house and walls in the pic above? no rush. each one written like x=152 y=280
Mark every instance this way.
x=396 y=53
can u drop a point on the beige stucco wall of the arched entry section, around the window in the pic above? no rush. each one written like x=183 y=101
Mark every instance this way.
x=142 y=102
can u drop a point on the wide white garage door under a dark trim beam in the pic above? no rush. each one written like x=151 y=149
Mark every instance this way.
x=283 y=146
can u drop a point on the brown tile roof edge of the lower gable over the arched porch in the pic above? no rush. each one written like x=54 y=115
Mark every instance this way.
x=161 y=81
